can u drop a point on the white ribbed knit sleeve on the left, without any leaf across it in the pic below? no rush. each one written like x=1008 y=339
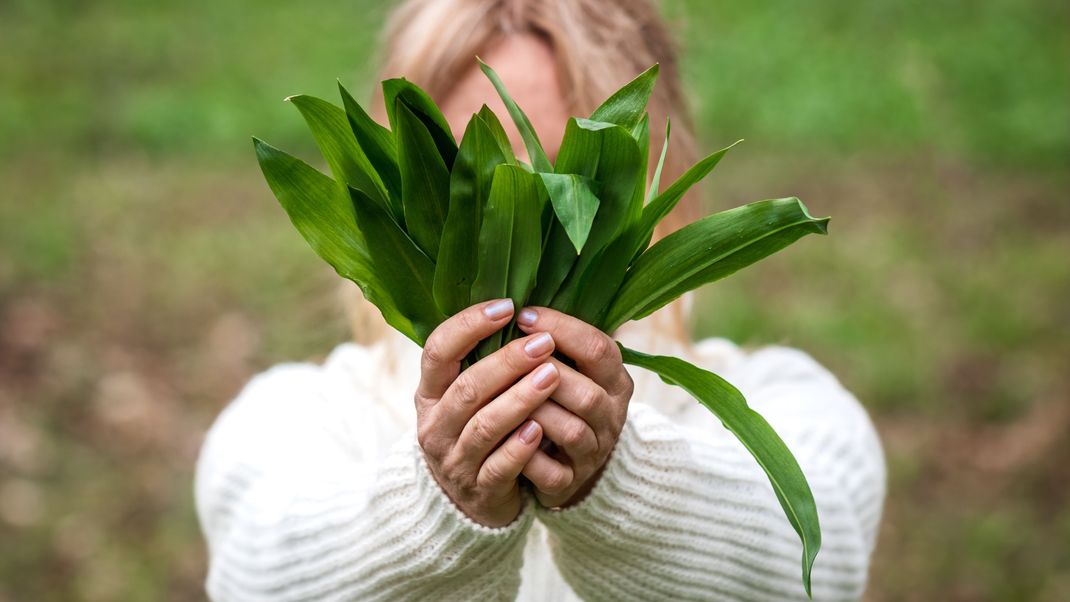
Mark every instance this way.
x=297 y=504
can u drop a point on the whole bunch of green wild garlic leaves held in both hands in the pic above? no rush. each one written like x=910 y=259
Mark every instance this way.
x=427 y=227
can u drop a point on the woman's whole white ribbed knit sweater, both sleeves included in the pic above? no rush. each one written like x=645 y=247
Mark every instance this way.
x=311 y=486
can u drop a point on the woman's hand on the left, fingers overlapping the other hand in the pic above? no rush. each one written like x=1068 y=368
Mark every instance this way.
x=472 y=425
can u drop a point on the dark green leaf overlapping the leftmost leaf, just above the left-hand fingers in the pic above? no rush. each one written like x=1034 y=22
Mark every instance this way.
x=401 y=266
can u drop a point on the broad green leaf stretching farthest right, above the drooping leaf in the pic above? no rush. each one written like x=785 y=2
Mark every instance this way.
x=707 y=251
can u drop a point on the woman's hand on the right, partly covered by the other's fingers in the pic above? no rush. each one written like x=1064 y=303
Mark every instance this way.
x=587 y=413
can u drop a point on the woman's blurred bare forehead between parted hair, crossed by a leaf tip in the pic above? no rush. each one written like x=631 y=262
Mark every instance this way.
x=527 y=67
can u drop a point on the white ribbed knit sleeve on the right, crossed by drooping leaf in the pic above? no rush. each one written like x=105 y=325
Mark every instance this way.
x=683 y=513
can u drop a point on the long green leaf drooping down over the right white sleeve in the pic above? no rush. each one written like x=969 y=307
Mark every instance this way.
x=786 y=476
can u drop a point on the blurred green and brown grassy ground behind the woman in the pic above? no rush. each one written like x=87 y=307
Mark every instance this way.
x=147 y=272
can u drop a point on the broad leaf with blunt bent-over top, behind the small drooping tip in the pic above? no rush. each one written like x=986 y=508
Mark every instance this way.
x=609 y=156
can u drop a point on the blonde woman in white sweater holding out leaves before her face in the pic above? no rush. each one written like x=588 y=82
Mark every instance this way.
x=329 y=483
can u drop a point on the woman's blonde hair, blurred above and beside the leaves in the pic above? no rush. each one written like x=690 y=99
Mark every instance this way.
x=599 y=47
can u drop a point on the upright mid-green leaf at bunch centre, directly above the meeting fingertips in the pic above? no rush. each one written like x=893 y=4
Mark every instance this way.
x=510 y=242
